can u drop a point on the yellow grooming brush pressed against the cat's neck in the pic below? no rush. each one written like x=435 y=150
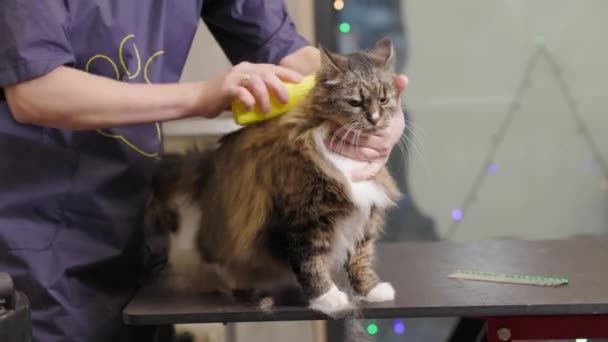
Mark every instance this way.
x=297 y=92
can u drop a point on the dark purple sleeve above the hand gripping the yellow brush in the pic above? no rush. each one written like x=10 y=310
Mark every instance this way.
x=258 y=31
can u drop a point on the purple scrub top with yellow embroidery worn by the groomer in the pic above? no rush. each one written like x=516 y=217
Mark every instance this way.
x=71 y=201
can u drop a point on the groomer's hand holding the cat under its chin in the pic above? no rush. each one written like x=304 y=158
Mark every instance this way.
x=375 y=149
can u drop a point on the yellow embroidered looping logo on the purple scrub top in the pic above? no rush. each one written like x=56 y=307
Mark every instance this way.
x=130 y=75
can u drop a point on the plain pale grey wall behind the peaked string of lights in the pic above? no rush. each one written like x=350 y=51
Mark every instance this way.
x=466 y=59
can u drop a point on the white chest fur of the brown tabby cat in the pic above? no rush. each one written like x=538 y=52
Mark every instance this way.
x=364 y=195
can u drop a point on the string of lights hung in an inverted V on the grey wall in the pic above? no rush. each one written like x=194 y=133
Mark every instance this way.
x=581 y=127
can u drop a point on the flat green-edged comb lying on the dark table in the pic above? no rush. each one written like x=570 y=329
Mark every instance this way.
x=508 y=278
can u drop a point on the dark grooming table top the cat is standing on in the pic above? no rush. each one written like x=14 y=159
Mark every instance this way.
x=419 y=272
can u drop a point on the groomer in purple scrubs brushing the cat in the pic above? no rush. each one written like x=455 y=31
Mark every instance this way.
x=84 y=86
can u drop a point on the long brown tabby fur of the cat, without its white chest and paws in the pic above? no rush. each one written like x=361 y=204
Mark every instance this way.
x=270 y=202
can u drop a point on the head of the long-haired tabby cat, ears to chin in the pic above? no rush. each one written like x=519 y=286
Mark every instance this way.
x=357 y=90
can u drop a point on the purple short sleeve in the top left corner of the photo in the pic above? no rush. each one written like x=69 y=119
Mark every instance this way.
x=33 y=39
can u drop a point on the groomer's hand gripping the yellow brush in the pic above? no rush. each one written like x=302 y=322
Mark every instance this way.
x=250 y=83
